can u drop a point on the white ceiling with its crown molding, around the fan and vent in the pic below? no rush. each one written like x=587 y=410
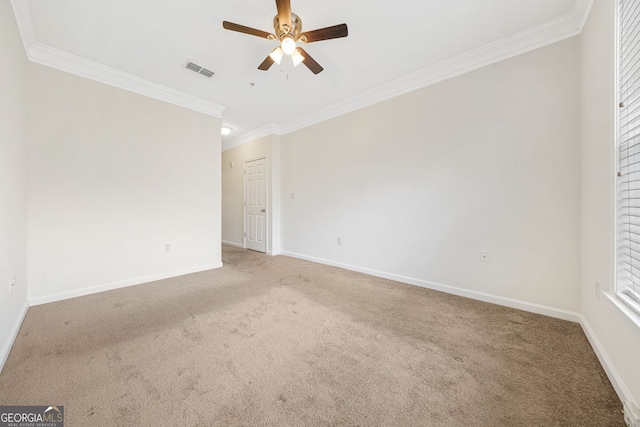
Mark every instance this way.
x=392 y=47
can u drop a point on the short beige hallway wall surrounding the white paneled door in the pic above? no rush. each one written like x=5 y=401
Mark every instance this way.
x=233 y=190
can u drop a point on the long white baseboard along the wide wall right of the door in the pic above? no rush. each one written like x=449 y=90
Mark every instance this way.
x=481 y=296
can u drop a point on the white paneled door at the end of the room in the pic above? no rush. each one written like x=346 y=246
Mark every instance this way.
x=255 y=205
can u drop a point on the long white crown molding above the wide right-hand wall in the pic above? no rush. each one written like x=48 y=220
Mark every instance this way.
x=563 y=27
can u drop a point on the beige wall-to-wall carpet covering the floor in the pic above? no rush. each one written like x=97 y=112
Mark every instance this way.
x=282 y=342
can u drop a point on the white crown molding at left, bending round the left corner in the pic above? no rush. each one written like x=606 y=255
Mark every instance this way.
x=64 y=61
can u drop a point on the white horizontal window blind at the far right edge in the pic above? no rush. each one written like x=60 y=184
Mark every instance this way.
x=628 y=284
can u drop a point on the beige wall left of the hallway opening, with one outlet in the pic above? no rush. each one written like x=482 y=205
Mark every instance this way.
x=113 y=176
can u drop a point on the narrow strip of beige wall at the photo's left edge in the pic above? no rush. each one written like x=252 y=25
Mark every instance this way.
x=13 y=179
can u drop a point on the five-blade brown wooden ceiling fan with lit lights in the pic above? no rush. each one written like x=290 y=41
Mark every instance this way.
x=288 y=30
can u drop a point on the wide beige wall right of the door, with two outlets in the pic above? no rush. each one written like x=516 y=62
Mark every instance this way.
x=418 y=185
